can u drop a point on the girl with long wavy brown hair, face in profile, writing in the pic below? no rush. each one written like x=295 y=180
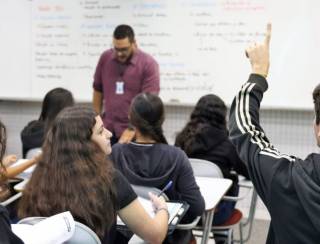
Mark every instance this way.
x=75 y=175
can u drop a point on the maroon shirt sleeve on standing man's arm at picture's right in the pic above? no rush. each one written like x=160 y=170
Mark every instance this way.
x=151 y=80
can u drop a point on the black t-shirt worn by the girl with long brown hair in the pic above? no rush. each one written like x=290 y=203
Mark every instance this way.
x=125 y=195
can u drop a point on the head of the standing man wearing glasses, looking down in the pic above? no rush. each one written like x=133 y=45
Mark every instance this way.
x=123 y=42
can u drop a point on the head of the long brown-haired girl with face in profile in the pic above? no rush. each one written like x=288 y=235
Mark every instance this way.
x=79 y=128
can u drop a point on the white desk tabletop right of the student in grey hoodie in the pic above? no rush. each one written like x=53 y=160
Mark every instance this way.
x=212 y=190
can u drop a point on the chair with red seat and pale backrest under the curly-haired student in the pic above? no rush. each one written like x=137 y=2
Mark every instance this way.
x=206 y=168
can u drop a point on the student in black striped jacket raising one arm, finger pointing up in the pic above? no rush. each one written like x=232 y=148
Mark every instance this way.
x=288 y=186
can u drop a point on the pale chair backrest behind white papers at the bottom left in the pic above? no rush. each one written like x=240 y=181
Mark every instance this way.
x=82 y=235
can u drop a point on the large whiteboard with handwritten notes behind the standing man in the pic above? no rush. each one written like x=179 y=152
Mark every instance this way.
x=199 y=45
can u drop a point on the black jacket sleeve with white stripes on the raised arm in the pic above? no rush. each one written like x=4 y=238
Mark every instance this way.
x=262 y=159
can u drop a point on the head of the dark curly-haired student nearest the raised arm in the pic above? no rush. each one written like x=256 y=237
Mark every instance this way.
x=210 y=109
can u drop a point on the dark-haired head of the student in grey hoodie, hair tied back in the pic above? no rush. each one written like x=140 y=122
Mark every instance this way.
x=147 y=116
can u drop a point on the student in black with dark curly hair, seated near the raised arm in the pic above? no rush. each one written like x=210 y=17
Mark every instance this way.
x=205 y=136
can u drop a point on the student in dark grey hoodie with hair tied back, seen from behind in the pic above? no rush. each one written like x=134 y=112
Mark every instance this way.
x=150 y=161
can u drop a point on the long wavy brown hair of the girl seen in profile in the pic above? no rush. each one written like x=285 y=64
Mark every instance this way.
x=73 y=174
